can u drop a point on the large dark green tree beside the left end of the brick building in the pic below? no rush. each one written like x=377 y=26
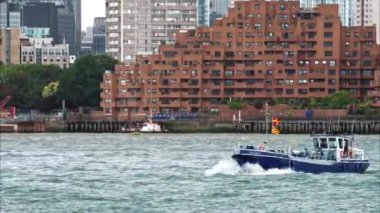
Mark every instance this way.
x=80 y=85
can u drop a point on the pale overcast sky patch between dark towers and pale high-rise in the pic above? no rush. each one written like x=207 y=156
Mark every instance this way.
x=90 y=10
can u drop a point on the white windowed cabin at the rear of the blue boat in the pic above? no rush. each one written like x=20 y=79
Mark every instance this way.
x=332 y=147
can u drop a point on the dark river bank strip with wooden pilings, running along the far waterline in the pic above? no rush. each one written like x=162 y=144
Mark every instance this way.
x=253 y=126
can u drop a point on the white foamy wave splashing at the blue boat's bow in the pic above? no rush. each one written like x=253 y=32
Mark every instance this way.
x=231 y=167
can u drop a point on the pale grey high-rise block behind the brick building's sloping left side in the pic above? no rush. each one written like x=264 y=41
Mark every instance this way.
x=138 y=27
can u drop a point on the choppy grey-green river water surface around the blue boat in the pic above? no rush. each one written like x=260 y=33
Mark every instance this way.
x=170 y=173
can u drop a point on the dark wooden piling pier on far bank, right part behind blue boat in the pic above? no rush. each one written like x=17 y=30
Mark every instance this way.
x=311 y=126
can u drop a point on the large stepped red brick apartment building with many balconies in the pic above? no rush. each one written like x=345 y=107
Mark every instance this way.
x=262 y=50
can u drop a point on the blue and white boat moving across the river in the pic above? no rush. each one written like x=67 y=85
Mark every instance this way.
x=330 y=153
